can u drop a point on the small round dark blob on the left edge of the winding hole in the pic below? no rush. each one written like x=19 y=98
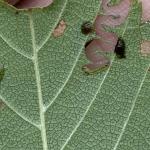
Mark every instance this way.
x=87 y=27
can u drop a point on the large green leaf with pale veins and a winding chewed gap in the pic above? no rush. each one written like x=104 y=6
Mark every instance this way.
x=49 y=103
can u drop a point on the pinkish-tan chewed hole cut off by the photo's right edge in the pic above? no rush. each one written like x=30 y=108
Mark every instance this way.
x=145 y=48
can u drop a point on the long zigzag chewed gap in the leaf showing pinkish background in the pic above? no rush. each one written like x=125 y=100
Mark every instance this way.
x=108 y=42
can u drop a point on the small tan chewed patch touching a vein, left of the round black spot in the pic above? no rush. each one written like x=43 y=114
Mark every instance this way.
x=60 y=29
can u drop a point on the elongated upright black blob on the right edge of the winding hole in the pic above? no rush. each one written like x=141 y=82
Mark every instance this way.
x=120 y=48
